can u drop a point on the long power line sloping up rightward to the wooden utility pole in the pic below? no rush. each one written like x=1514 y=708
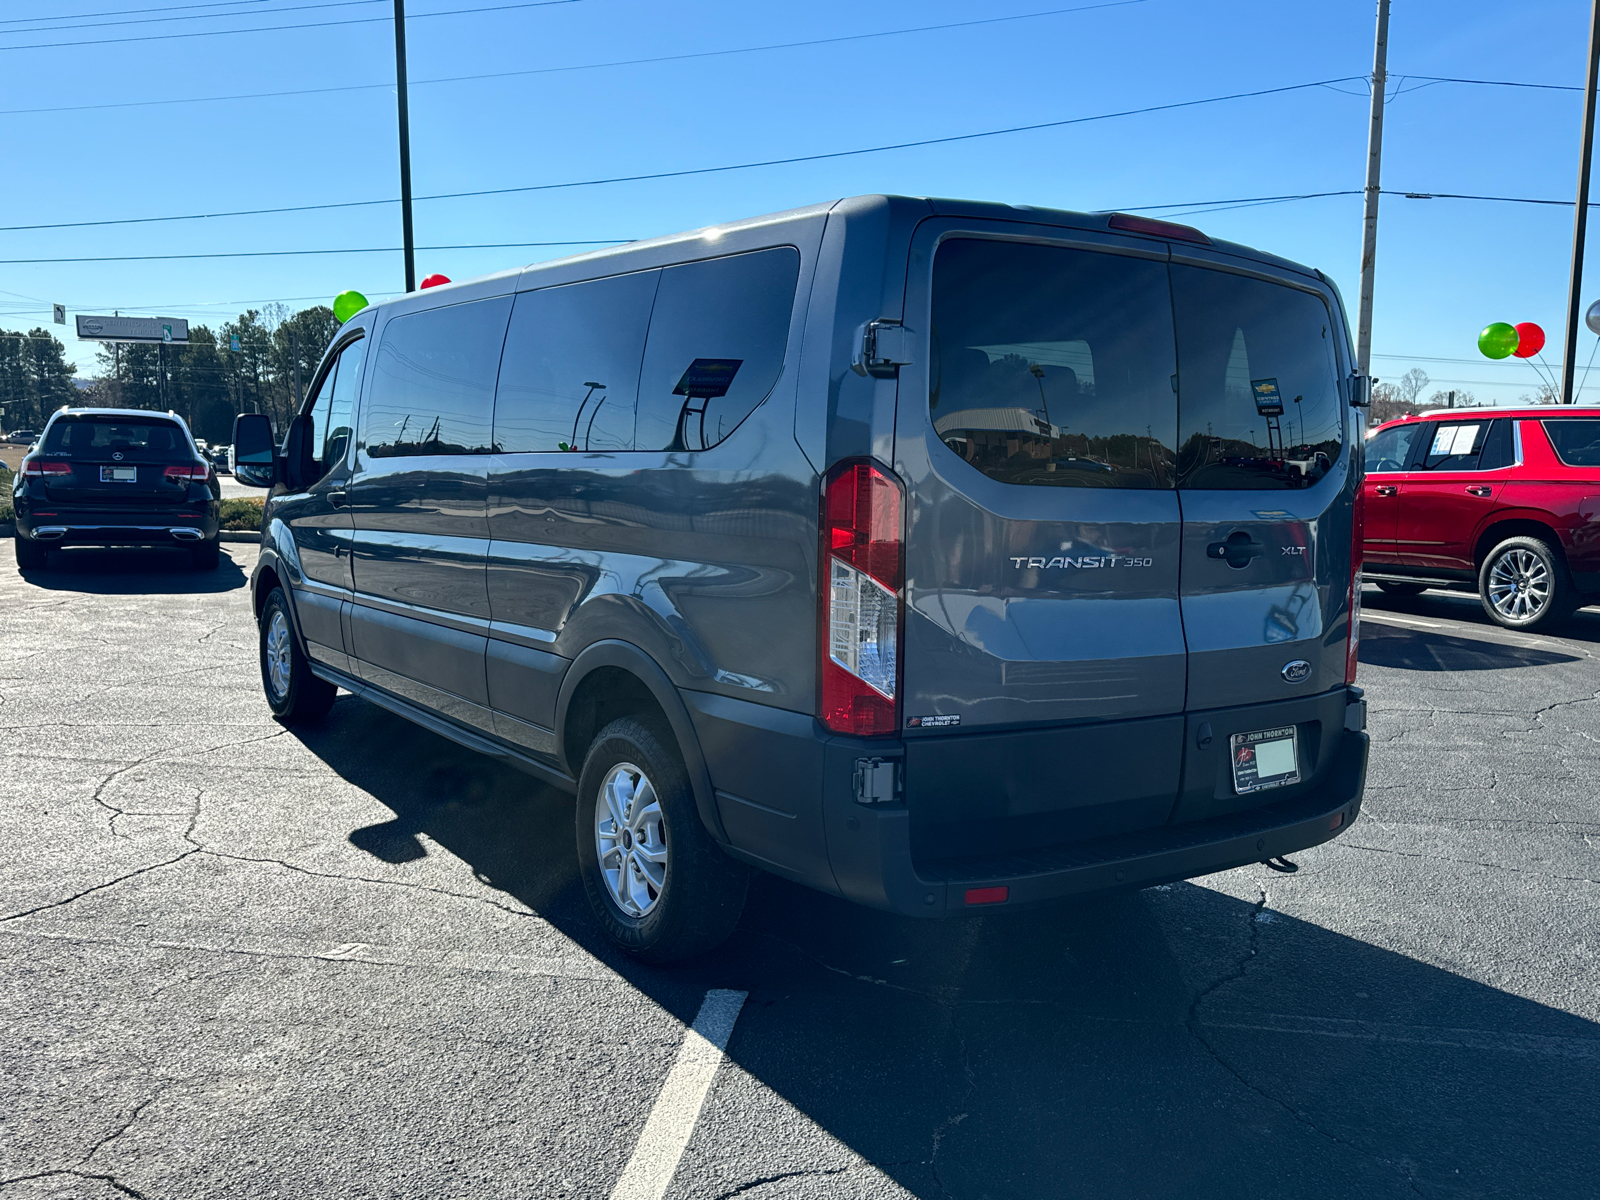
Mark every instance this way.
x=687 y=172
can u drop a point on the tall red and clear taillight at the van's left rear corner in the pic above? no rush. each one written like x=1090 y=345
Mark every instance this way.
x=863 y=564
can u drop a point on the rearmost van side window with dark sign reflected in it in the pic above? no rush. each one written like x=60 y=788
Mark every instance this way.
x=716 y=348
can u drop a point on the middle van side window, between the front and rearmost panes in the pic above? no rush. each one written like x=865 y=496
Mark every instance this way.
x=570 y=374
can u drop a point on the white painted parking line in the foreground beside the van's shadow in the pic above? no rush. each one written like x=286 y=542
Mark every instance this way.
x=678 y=1108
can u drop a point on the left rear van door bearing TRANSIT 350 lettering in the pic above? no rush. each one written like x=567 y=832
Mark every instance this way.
x=1044 y=646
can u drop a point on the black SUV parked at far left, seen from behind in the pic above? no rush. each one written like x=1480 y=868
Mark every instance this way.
x=116 y=478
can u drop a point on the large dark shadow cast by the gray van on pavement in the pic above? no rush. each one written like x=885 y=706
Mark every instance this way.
x=1175 y=1042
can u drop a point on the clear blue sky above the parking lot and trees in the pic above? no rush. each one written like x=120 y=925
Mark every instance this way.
x=1447 y=268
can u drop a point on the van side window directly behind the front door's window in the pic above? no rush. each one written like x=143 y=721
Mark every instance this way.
x=433 y=386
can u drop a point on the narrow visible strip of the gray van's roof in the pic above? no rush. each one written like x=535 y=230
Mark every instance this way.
x=1098 y=223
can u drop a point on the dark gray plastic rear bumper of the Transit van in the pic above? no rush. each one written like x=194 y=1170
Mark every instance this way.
x=873 y=862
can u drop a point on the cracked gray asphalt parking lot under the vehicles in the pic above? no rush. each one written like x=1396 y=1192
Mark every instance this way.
x=356 y=961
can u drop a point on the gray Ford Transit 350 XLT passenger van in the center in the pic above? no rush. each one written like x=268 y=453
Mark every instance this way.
x=934 y=554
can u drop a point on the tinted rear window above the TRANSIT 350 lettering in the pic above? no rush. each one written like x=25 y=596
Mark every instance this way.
x=1054 y=367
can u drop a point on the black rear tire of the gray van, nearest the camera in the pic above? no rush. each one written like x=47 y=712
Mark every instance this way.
x=702 y=890
